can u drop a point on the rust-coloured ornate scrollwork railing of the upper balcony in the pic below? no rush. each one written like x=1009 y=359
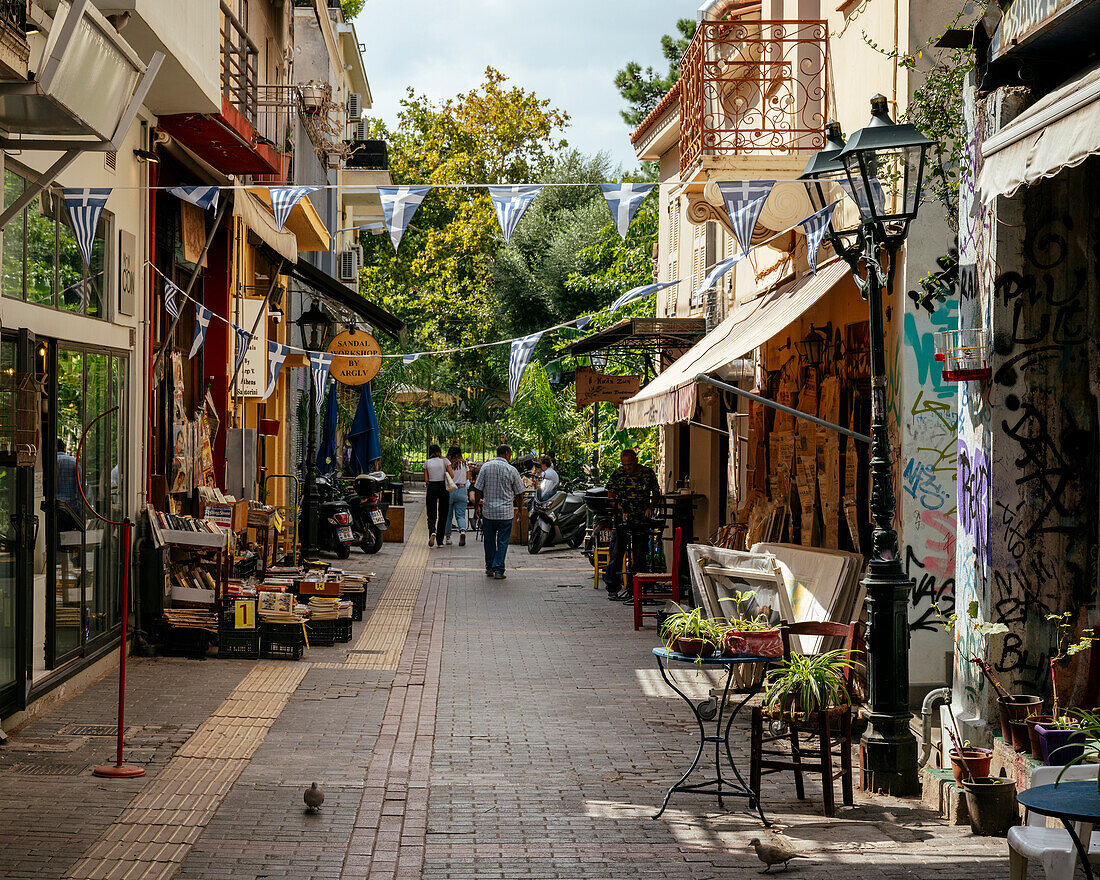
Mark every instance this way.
x=754 y=87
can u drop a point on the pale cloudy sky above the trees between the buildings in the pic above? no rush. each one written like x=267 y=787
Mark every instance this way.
x=567 y=51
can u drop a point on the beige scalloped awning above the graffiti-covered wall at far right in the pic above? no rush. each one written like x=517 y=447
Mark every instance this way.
x=1059 y=133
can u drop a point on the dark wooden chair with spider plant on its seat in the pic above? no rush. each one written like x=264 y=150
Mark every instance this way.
x=824 y=746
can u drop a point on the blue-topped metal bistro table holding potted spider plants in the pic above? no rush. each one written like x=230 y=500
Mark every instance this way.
x=720 y=785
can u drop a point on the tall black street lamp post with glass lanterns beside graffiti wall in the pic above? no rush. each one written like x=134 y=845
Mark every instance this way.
x=882 y=169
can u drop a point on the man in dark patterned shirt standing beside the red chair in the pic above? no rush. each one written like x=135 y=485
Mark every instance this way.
x=636 y=490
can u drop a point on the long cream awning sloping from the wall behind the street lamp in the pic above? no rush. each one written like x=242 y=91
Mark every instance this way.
x=672 y=397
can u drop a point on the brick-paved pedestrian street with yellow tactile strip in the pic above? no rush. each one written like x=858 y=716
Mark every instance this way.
x=474 y=729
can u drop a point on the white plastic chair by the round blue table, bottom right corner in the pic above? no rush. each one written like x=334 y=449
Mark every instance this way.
x=1053 y=848
